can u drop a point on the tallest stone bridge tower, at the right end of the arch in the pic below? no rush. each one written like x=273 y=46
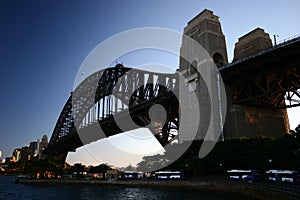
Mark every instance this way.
x=205 y=29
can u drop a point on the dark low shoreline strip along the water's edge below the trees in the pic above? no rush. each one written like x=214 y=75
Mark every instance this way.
x=224 y=186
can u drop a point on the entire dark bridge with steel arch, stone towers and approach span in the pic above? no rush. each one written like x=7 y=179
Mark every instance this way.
x=261 y=82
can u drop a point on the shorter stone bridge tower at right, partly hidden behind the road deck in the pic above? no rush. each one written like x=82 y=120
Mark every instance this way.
x=253 y=118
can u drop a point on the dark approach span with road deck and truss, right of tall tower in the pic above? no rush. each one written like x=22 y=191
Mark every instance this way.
x=268 y=77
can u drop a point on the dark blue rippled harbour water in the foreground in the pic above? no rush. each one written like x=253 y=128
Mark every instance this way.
x=10 y=190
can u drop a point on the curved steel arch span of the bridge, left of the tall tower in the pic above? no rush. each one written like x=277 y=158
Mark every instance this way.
x=110 y=94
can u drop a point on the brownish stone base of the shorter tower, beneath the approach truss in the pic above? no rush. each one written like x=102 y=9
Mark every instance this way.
x=252 y=122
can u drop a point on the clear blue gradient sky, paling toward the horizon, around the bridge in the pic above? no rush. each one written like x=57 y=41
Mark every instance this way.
x=43 y=43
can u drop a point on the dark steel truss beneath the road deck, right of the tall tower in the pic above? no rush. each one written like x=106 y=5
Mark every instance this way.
x=276 y=90
